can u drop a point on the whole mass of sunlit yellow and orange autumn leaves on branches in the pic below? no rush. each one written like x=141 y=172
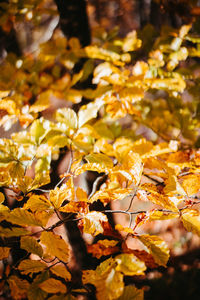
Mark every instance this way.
x=159 y=93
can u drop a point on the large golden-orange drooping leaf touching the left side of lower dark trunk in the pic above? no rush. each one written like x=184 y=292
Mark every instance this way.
x=55 y=245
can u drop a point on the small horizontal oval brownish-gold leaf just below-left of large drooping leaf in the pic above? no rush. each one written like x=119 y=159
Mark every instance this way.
x=29 y=266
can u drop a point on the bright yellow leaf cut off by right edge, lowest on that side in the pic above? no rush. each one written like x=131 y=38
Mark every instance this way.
x=191 y=220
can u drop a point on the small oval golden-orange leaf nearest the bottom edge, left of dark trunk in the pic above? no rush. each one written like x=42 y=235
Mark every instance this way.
x=52 y=285
